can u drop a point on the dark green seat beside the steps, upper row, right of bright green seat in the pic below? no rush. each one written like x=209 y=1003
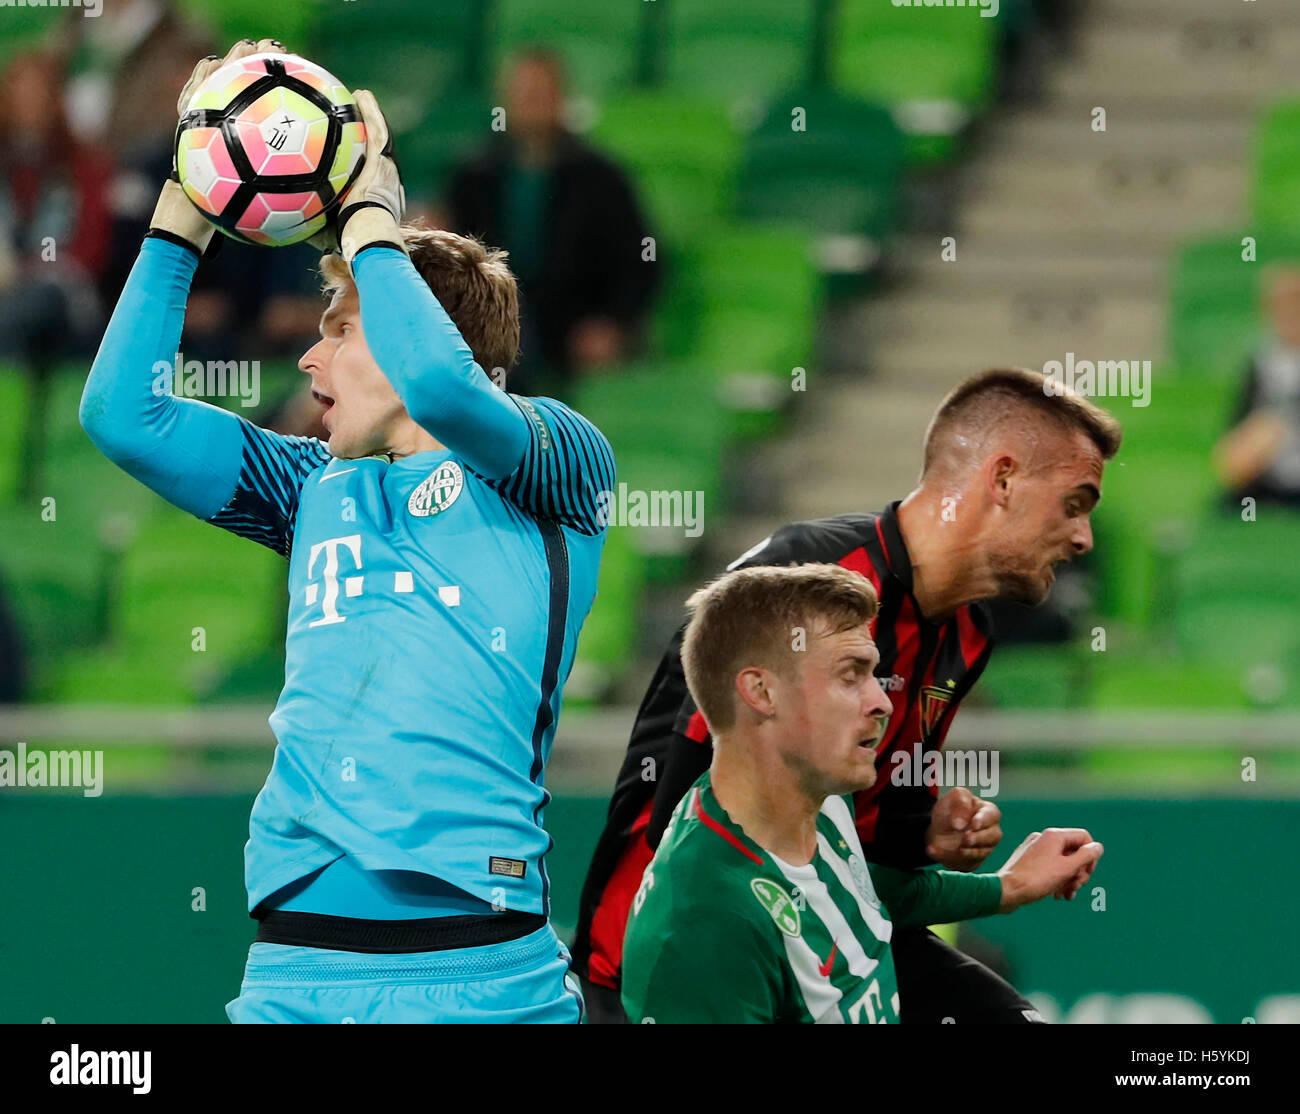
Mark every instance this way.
x=840 y=177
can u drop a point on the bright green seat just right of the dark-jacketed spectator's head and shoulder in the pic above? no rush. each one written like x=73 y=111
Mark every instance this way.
x=682 y=154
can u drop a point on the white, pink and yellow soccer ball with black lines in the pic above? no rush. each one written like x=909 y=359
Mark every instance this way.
x=268 y=146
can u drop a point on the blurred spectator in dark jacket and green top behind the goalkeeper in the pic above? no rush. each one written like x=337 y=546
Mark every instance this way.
x=570 y=220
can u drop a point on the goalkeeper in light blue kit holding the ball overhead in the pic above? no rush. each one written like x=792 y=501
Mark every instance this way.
x=443 y=556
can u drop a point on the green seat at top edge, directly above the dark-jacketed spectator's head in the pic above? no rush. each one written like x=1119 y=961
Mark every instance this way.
x=603 y=45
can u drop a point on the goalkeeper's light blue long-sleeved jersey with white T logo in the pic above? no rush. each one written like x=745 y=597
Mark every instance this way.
x=435 y=600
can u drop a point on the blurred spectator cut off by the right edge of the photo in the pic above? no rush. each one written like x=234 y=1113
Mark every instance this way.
x=1260 y=456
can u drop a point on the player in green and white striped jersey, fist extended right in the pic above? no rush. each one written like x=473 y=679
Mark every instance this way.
x=759 y=905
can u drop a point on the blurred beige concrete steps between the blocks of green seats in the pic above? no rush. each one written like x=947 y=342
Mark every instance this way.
x=1028 y=287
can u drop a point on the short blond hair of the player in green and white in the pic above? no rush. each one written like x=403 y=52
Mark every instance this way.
x=749 y=617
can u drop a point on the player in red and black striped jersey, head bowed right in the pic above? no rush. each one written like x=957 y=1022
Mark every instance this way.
x=1012 y=474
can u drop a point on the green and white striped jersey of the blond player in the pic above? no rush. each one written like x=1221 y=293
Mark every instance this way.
x=725 y=931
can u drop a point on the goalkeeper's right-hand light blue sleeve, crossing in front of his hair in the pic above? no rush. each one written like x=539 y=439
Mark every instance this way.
x=536 y=453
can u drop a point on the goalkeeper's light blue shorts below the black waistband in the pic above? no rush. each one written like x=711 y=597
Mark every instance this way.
x=521 y=981
